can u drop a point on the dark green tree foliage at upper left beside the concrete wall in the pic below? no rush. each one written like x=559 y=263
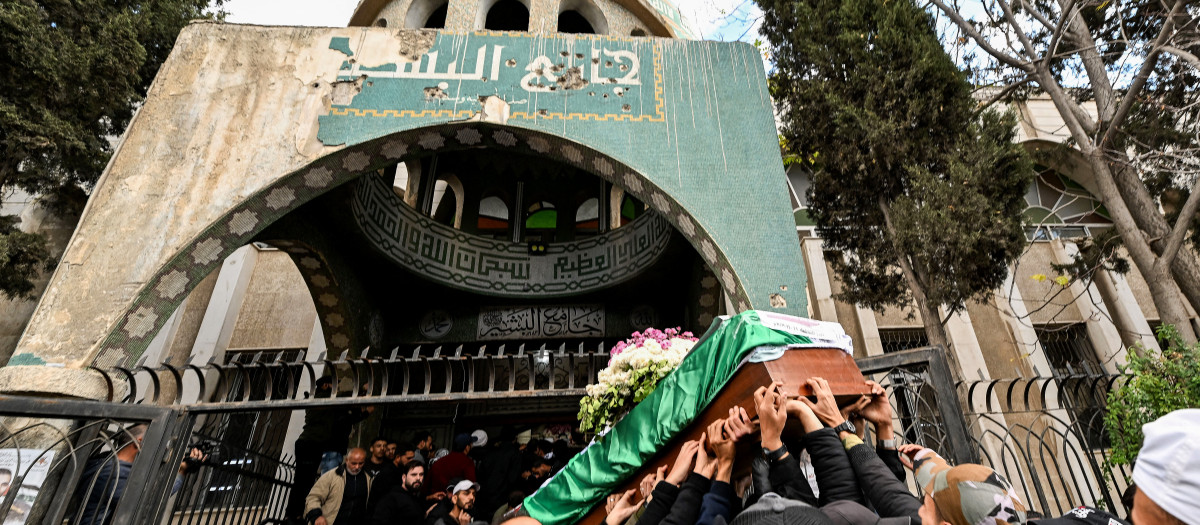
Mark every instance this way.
x=73 y=73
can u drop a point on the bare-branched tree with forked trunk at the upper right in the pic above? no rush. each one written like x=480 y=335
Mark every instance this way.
x=1124 y=55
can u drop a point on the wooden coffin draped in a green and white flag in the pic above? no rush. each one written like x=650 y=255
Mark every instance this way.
x=734 y=359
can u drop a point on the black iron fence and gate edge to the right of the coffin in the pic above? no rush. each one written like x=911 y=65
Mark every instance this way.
x=1045 y=435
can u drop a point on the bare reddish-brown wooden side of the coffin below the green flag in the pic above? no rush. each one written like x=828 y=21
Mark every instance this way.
x=793 y=370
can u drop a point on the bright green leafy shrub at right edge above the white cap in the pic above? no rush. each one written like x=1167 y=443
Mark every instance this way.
x=1160 y=385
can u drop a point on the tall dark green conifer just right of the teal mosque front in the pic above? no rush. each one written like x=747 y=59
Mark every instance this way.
x=920 y=190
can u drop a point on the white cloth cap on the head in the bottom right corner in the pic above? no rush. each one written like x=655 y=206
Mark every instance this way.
x=1168 y=464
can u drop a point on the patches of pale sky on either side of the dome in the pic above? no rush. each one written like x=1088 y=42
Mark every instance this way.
x=715 y=20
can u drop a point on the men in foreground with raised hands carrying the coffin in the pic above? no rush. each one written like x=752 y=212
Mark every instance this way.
x=861 y=485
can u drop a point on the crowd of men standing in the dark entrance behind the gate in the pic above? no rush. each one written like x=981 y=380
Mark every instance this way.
x=475 y=481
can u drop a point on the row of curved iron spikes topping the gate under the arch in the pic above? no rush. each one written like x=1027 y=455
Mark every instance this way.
x=428 y=375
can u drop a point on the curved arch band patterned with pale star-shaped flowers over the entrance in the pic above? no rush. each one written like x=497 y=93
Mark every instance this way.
x=155 y=301
